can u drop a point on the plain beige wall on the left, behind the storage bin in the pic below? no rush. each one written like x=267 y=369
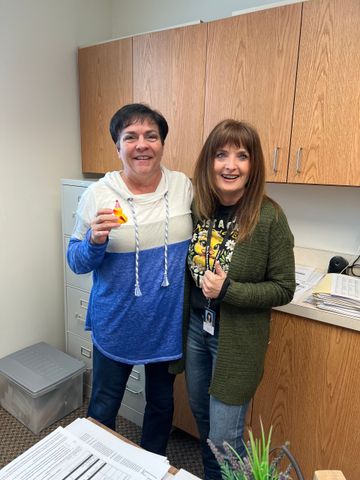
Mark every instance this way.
x=39 y=144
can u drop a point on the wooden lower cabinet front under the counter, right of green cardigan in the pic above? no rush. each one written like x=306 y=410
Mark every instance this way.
x=309 y=393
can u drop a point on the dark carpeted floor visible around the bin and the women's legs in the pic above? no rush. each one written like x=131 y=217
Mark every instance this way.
x=183 y=449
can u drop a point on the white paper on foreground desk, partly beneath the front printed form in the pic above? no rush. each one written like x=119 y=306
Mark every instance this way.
x=149 y=466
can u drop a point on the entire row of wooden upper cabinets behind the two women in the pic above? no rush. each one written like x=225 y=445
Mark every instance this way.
x=292 y=71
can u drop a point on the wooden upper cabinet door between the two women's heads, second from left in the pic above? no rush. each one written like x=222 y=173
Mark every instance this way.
x=169 y=75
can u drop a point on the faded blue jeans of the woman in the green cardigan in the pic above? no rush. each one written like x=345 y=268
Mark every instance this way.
x=215 y=420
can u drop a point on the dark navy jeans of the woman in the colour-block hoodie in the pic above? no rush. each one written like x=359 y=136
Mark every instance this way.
x=108 y=388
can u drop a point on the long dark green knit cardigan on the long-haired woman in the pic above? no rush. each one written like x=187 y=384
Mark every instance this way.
x=262 y=276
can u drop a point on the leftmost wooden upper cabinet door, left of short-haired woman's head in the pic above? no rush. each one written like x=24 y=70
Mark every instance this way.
x=105 y=76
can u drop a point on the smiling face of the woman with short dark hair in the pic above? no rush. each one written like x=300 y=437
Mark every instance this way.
x=140 y=150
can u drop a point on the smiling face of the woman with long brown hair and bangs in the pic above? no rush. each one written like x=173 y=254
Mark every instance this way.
x=231 y=170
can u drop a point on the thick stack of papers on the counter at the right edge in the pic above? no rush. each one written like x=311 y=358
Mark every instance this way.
x=339 y=294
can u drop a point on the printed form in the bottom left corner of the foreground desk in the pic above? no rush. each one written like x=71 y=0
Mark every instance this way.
x=61 y=455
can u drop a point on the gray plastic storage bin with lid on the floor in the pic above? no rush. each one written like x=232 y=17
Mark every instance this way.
x=39 y=385
